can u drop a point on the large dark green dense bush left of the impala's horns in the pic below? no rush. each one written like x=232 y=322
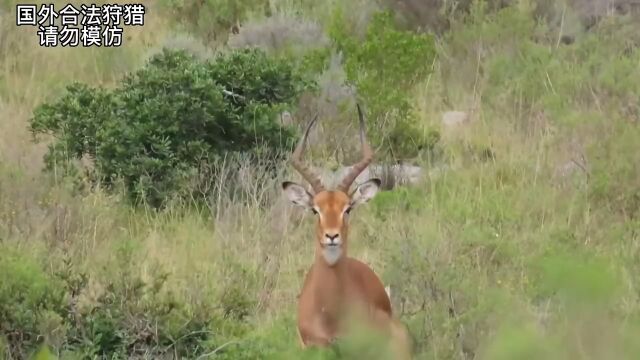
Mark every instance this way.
x=164 y=121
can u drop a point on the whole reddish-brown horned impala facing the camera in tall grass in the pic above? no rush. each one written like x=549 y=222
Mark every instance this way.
x=338 y=286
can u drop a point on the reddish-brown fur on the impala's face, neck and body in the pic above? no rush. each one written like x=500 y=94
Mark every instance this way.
x=333 y=292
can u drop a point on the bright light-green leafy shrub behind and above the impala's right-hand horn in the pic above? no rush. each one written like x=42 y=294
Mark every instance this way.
x=384 y=67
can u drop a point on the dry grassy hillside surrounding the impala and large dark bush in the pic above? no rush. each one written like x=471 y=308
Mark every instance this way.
x=526 y=247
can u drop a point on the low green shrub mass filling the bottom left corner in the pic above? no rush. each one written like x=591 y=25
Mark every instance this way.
x=129 y=317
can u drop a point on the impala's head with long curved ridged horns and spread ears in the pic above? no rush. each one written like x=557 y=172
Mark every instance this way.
x=332 y=207
